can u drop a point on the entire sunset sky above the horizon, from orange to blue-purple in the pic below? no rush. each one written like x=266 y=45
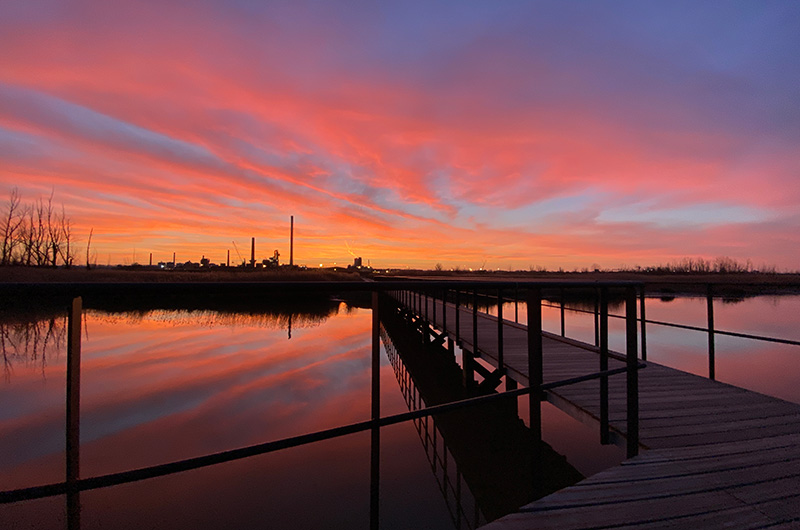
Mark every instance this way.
x=510 y=134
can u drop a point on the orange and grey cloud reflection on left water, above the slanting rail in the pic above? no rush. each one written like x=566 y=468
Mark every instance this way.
x=153 y=392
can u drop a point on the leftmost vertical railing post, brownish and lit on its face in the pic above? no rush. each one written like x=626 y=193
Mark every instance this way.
x=73 y=415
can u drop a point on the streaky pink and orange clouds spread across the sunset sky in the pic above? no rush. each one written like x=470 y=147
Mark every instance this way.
x=225 y=129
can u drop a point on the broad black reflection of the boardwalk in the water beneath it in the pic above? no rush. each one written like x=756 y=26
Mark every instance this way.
x=481 y=456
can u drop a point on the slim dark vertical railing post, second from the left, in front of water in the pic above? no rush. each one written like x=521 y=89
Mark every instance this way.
x=375 y=459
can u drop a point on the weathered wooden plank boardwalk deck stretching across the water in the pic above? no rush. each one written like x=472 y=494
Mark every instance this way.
x=714 y=455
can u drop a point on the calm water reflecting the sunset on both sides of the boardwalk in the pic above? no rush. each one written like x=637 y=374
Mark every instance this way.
x=161 y=385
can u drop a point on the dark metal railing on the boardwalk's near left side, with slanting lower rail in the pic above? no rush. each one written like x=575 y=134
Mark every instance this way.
x=74 y=484
